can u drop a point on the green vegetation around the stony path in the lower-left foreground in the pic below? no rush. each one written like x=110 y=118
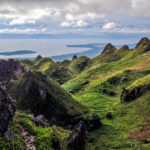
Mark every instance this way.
x=44 y=138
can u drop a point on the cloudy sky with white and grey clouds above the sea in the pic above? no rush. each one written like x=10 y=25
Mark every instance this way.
x=75 y=17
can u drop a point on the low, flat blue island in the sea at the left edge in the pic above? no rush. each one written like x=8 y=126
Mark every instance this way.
x=19 y=52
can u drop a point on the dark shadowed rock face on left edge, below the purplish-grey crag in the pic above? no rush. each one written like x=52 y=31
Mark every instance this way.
x=7 y=110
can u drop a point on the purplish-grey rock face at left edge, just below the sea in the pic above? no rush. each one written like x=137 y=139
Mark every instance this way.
x=10 y=70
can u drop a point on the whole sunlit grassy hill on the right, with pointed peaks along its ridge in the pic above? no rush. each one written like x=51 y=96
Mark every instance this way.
x=116 y=76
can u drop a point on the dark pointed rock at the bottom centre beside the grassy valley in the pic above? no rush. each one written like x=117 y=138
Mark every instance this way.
x=77 y=138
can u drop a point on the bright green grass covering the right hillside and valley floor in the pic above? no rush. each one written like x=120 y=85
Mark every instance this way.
x=93 y=88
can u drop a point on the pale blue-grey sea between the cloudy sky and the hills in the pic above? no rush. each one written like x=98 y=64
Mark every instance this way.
x=54 y=47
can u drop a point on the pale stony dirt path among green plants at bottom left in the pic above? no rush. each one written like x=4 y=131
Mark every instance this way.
x=28 y=139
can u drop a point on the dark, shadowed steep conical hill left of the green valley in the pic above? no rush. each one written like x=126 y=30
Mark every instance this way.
x=39 y=94
